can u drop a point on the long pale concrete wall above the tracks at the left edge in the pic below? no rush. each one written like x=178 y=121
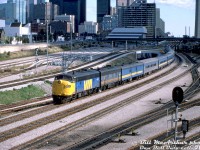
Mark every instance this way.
x=14 y=48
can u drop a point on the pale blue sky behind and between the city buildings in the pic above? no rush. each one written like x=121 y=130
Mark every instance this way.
x=177 y=14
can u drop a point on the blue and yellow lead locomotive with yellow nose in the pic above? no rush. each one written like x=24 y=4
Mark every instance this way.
x=74 y=85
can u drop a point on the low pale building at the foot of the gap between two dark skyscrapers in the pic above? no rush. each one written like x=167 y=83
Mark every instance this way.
x=88 y=27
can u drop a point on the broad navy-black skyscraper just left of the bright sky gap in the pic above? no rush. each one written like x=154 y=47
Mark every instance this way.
x=73 y=7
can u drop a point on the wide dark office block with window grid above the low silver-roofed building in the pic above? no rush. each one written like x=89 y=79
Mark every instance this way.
x=142 y=15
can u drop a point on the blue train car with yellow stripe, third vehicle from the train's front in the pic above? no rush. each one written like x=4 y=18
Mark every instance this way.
x=132 y=71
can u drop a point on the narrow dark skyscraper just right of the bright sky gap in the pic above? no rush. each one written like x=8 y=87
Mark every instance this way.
x=103 y=8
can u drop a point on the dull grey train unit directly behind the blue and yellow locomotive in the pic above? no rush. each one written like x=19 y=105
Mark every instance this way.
x=110 y=76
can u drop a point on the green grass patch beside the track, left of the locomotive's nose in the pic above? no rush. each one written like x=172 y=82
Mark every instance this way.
x=25 y=93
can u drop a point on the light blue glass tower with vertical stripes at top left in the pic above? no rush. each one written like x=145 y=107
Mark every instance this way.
x=19 y=8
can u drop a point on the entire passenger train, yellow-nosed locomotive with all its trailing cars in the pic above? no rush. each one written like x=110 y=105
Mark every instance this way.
x=75 y=84
